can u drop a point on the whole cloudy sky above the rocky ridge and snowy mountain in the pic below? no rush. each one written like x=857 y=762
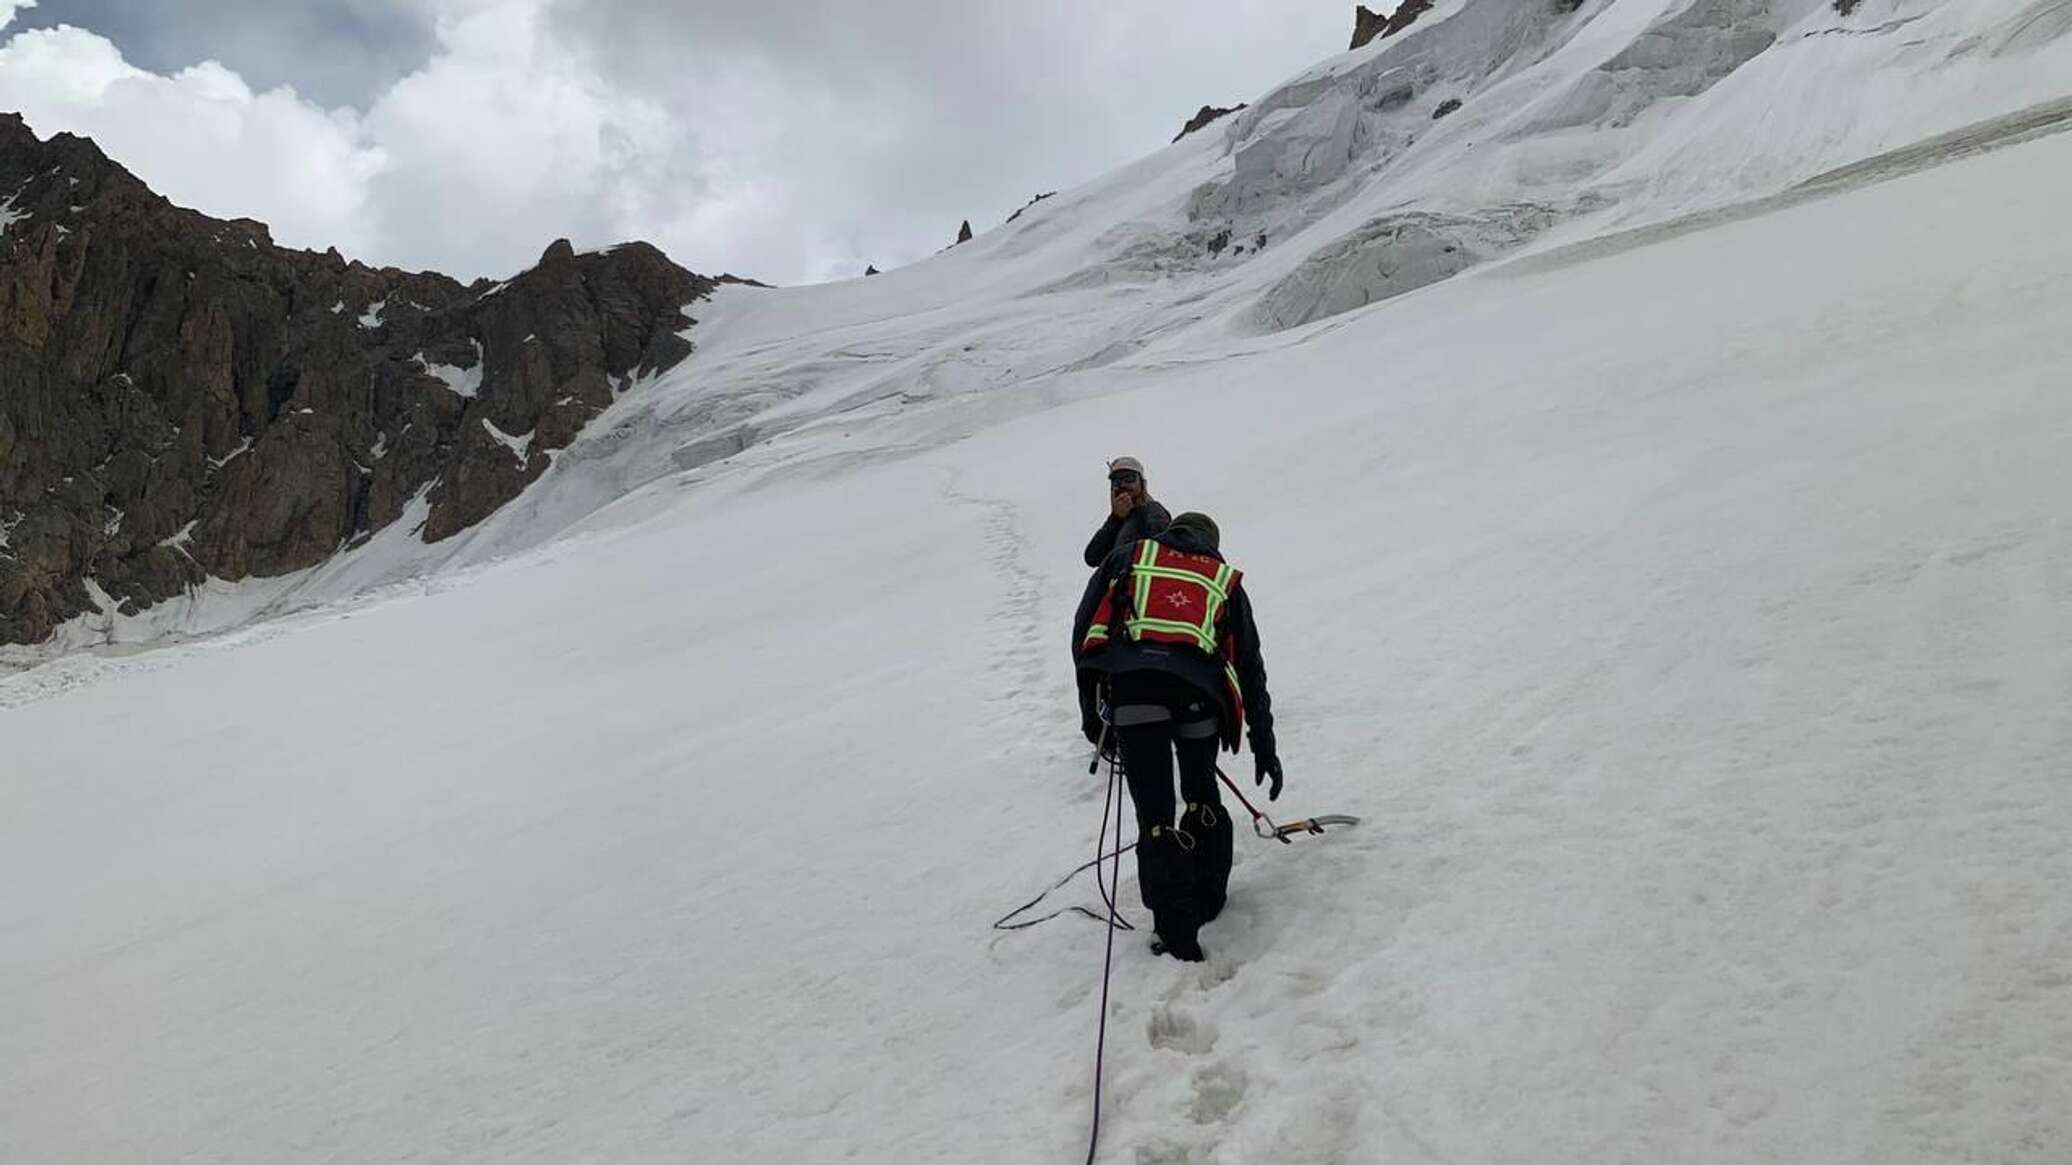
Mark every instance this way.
x=780 y=140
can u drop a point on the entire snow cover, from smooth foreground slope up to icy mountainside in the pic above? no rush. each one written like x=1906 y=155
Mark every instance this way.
x=1690 y=615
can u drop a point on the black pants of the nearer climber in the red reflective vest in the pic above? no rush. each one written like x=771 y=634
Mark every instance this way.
x=1184 y=868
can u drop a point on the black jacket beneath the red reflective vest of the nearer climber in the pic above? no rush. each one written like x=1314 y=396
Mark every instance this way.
x=1197 y=669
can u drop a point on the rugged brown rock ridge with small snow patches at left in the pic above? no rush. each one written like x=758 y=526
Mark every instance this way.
x=183 y=399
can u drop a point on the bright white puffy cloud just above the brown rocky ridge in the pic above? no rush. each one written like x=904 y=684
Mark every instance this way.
x=469 y=165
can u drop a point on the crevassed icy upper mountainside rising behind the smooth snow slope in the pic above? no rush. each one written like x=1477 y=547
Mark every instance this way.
x=1489 y=132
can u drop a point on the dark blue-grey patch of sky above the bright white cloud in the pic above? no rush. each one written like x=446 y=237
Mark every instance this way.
x=337 y=53
